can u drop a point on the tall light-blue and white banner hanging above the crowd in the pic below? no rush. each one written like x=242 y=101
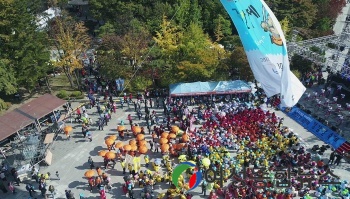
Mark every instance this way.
x=265 y=45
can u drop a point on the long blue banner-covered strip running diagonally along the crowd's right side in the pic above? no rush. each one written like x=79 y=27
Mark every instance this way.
x=321 y=131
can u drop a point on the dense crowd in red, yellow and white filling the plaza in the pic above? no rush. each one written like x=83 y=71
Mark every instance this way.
x=241 y=139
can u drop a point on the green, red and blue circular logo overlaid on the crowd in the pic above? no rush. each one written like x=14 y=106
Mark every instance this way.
x=195 y=179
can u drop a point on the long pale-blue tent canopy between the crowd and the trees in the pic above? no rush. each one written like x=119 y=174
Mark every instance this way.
x=209 y=88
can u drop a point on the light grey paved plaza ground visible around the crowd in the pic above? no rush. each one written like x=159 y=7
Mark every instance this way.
x=70 y=158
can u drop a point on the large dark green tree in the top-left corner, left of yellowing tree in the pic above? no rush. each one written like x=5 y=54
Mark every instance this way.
x=24 y=46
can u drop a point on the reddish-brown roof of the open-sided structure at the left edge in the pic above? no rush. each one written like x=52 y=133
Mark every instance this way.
x=21 y=117
